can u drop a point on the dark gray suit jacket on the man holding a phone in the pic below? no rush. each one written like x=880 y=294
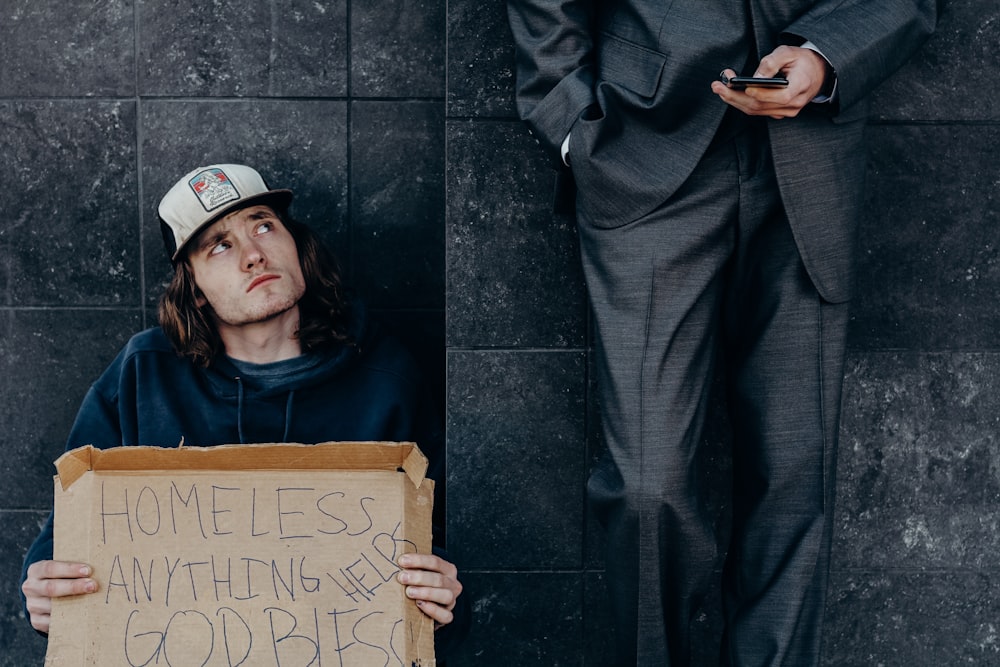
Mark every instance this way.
x=631 y=79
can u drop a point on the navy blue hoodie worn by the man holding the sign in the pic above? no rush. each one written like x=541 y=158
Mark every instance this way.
x=369 y=390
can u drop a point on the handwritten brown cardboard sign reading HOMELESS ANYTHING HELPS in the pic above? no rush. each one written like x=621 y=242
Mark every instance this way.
x=257 y=555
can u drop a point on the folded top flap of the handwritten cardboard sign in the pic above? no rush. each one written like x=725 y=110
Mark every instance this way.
x=360 y=455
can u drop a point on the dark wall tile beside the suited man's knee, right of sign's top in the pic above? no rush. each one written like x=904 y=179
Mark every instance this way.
x=515 y=423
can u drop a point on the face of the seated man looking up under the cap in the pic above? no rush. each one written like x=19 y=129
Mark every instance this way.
x=247 y=267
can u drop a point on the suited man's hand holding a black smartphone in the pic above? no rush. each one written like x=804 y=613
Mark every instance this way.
x=805 y=70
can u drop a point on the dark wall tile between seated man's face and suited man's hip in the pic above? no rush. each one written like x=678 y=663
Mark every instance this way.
x=513 y=271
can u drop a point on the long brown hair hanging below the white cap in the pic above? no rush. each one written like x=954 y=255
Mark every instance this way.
x=324 y=309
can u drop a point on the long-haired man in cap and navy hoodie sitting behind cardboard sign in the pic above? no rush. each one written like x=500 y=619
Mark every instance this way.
x=257 y=342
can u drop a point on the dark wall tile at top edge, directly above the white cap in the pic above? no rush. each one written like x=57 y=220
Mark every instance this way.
x=243 y=49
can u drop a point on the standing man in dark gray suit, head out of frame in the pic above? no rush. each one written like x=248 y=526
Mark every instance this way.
x=717 y=230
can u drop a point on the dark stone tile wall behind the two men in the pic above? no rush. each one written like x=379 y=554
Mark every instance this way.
x=394 y=122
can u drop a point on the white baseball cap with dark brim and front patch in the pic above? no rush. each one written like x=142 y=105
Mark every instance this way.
x=208 y=193
